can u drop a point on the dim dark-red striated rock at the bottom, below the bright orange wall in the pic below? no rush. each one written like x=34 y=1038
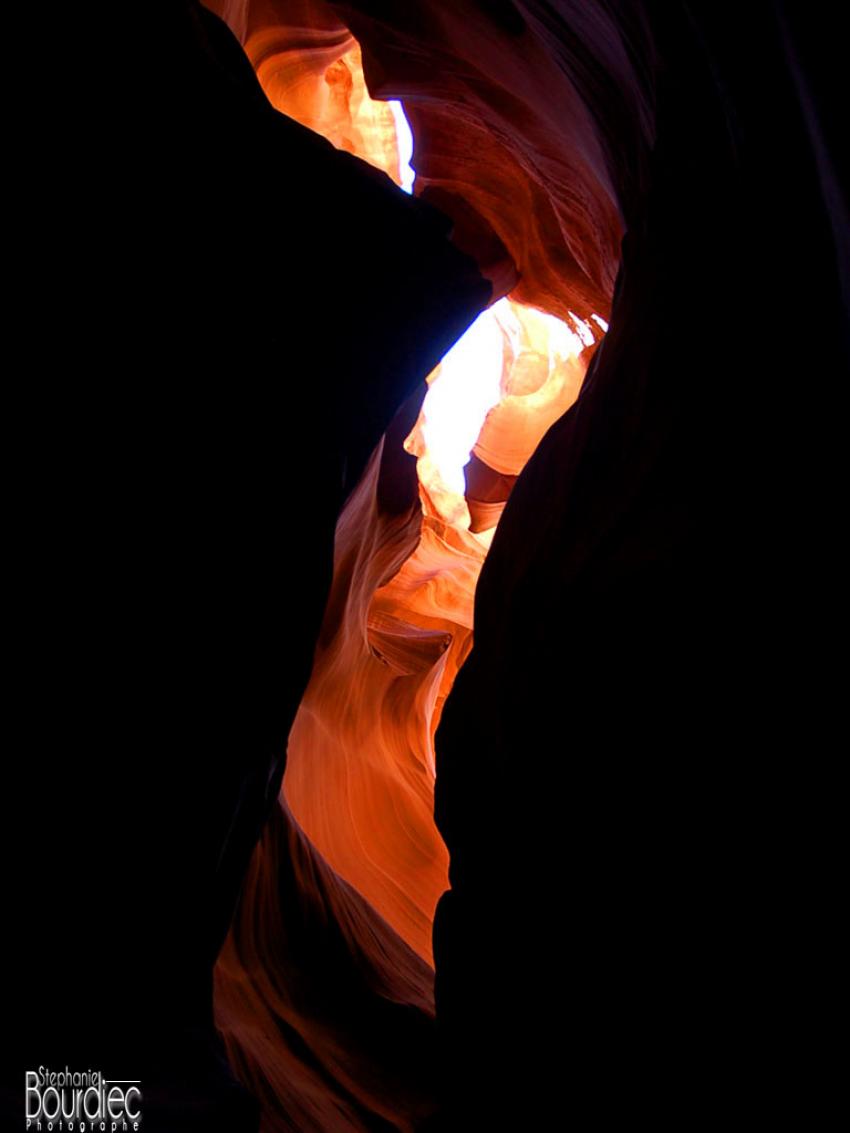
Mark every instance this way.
x=328 y=1018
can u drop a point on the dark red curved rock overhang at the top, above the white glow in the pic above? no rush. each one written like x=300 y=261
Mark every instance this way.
x=535 y=121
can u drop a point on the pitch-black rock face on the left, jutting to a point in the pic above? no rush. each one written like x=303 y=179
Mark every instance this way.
x=231 y=382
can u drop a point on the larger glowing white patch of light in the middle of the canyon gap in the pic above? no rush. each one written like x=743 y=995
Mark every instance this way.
x=463 y=394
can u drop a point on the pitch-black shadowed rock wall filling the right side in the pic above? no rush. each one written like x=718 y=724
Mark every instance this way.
x=635 y=862
